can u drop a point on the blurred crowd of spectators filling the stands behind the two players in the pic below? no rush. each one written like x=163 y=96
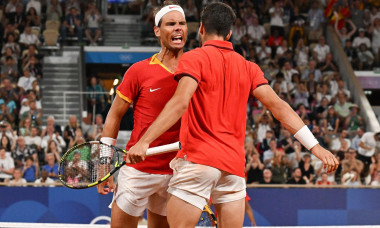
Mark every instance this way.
x=284 y=37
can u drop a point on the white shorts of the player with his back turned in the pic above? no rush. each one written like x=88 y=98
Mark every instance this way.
x=196 y=184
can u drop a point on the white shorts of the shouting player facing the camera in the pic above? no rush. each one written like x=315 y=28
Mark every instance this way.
x=138 y=190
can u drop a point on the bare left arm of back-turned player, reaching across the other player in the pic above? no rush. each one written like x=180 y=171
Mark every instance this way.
x=171 y=113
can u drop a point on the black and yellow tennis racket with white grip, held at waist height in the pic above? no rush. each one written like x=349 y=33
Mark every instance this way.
x=91 y=163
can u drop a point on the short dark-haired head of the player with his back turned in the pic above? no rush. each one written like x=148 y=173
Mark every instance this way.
x=218 y=18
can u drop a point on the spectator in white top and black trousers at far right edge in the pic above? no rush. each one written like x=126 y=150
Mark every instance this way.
x=367 y=148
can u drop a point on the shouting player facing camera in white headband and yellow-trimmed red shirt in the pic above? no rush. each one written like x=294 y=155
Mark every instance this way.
x=148 y=84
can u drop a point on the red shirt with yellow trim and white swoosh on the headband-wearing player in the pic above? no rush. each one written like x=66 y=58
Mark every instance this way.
x=148 y=84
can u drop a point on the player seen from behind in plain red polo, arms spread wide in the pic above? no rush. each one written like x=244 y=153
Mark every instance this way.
x=211 y=97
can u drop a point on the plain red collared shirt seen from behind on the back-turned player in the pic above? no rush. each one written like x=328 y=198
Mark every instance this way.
x=213 y=126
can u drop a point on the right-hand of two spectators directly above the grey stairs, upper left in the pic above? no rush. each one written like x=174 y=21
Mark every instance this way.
x=92 y=18
